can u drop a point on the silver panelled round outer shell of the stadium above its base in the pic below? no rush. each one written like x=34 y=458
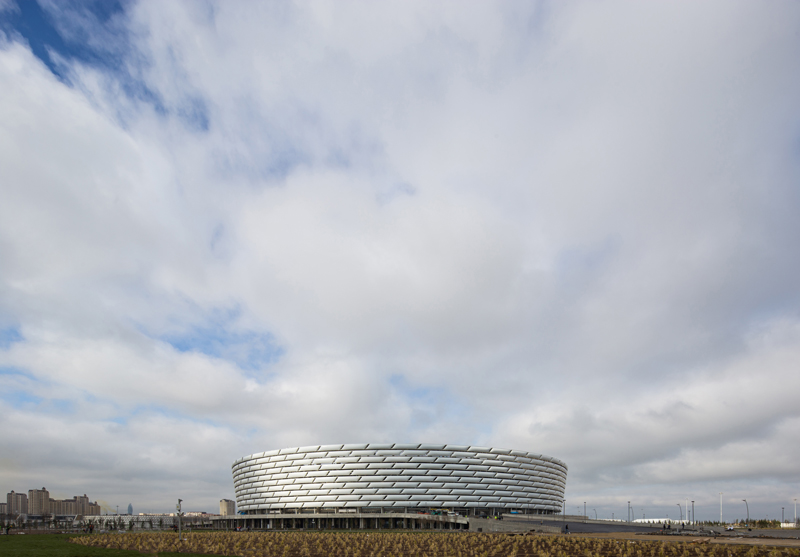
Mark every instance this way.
x=398 y=478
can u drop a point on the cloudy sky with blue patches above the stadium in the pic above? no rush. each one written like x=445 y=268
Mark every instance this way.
x=569 y=228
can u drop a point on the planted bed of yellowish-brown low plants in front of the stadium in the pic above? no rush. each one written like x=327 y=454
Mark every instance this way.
x=313 y=544
